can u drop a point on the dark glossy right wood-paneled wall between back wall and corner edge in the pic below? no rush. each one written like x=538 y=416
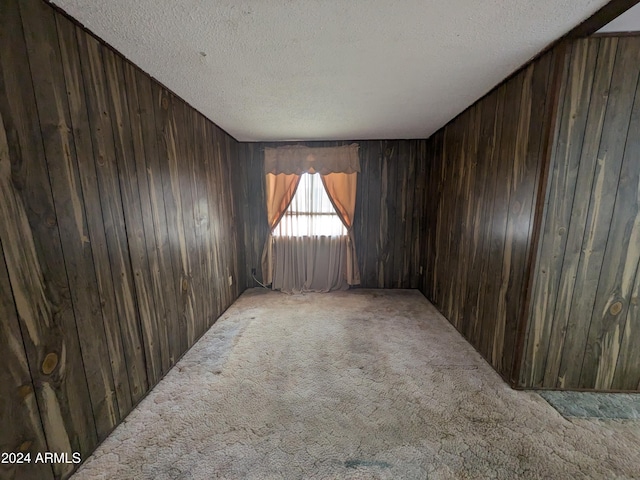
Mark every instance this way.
x=483 y=172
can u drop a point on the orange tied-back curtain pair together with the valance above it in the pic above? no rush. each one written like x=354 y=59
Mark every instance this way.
x=338 y=167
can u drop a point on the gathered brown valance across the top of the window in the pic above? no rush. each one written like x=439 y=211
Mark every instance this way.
x=298 y=159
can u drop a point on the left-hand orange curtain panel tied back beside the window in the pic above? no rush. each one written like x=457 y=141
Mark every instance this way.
x=280 y=190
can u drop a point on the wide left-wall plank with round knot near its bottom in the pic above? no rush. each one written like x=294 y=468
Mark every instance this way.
x=31 y=243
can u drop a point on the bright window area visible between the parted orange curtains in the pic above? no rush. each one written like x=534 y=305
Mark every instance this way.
x=310 y=213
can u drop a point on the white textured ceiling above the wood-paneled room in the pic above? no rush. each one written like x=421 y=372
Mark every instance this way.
x=271 y=70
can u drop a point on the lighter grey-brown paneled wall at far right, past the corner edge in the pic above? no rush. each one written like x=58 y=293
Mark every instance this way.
x=585 y=317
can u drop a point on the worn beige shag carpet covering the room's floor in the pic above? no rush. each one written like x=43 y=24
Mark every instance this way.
x=363 y=384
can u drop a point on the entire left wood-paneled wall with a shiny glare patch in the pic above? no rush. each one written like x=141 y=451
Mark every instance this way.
x=118 y=234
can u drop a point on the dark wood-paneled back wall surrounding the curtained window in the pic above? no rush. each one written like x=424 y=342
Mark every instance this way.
x=389 y=216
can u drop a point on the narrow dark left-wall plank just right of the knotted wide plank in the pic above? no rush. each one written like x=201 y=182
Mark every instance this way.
x=53 y=110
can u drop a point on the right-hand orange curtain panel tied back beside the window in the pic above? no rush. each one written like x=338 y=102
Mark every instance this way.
x=341 y=188
